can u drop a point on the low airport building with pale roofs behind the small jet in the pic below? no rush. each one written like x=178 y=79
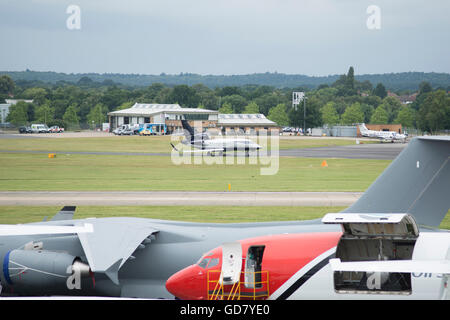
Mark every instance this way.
x=172 y=114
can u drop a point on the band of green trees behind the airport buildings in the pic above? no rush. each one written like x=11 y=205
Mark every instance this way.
x=346 y=101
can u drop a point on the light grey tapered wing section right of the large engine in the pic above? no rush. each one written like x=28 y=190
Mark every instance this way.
x=112 y=243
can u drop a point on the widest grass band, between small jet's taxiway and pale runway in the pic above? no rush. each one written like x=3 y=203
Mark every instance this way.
x=101 y=172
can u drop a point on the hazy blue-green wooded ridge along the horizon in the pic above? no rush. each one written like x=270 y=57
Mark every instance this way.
x=393 y=81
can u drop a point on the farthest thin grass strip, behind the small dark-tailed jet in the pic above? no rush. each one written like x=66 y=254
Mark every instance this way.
x=156 y=144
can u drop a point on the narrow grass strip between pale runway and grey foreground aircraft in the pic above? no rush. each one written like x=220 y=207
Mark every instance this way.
x=219 y=214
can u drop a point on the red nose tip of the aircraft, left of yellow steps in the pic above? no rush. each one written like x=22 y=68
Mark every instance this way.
x=188 y=284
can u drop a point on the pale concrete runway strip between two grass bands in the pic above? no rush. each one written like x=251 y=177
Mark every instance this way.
x=176 y=198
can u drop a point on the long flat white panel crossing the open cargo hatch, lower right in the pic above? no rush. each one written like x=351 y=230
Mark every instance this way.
x=400 y=266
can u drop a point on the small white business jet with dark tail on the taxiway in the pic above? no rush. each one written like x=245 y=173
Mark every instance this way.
x=218 y=146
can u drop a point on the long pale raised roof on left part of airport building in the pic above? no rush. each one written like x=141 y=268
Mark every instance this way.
x=145 y=109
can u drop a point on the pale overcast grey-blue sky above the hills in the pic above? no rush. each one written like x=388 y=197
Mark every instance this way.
x=311 y=37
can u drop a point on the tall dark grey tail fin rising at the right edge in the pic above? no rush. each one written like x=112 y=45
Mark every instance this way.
x=416 y=182
